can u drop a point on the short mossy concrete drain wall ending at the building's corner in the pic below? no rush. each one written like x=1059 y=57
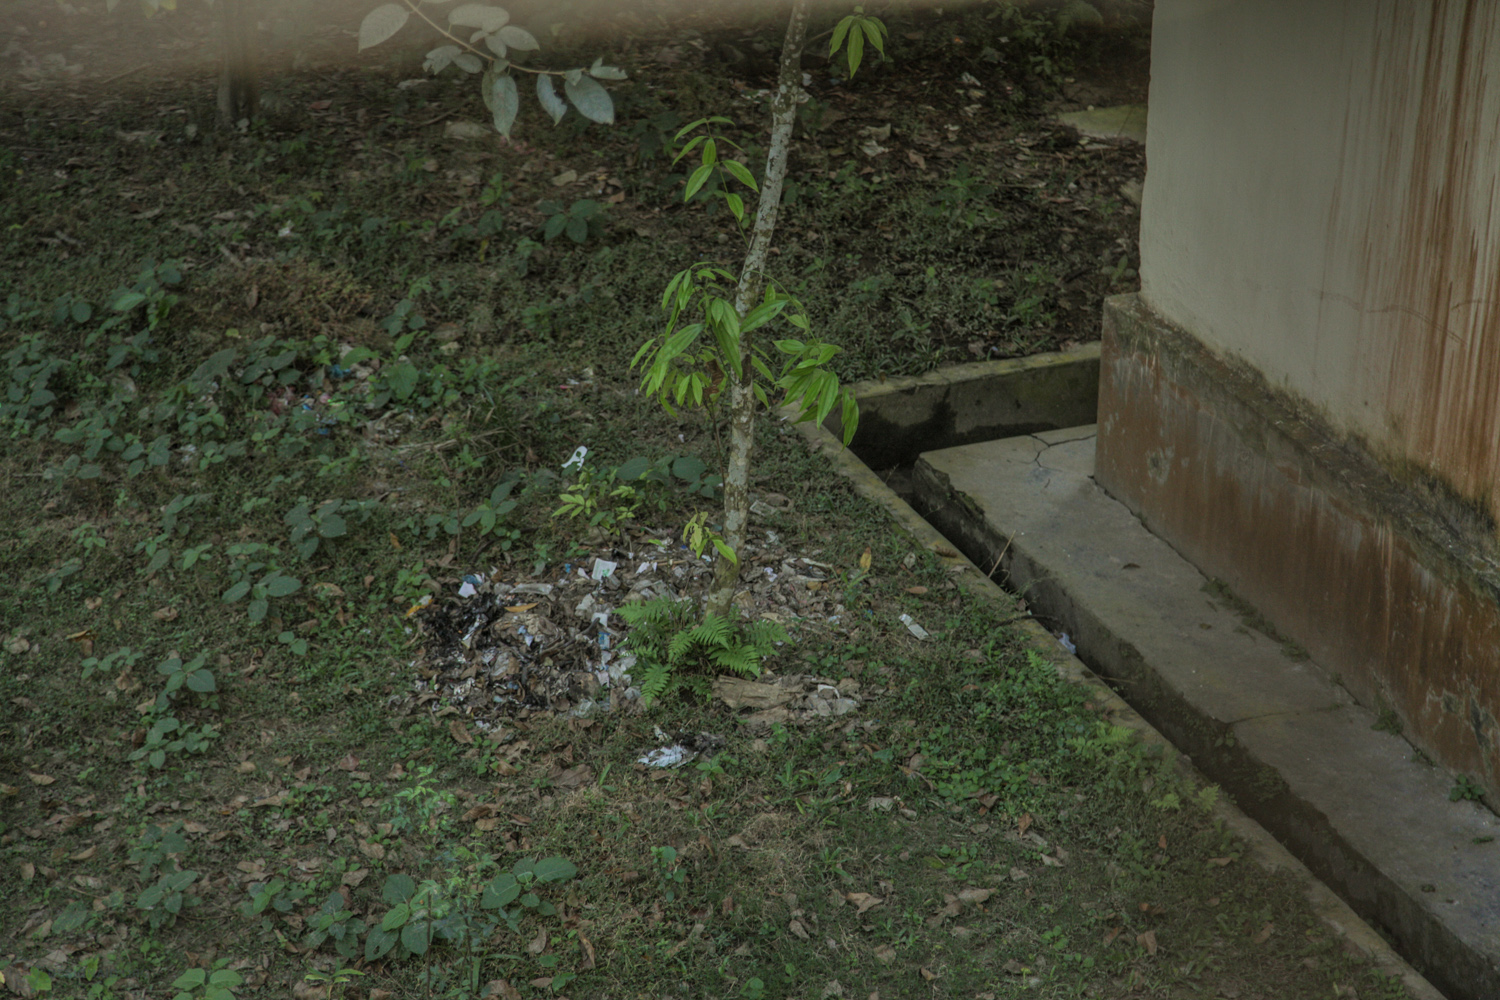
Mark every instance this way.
x=902 y=418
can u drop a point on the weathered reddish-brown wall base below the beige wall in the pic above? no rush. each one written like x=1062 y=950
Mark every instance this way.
x=1385 y=584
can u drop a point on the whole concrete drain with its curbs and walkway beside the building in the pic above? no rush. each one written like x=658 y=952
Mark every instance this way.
x=989 y=466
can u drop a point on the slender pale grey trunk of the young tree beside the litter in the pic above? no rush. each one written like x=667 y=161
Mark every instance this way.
x=752 y=281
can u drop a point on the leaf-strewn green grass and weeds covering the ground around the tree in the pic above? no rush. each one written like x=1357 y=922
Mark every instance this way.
x=215 y=524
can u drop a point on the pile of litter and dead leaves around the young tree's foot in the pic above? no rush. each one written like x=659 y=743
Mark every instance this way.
x=551 y=642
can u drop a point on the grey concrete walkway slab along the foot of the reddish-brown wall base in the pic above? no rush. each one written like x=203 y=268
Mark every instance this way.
x=1358 y=806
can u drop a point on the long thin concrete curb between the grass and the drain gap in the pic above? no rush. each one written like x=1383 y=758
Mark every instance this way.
x=1261 y=848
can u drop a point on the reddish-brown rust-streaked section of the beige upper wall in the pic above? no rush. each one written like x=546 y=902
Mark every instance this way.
x=1418 y=209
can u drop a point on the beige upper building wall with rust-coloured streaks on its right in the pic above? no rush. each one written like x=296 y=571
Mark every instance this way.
x=1324 y=202
